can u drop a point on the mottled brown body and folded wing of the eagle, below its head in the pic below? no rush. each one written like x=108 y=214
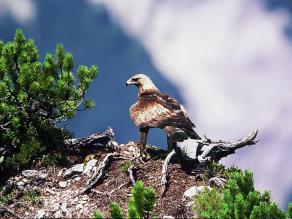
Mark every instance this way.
x=157 y=110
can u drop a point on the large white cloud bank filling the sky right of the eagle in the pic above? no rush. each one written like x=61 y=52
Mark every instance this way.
x=232 y=64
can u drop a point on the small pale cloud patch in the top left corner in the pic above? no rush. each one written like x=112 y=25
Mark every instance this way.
x=22 y=10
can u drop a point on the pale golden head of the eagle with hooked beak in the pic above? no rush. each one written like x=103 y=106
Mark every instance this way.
x=142 y=81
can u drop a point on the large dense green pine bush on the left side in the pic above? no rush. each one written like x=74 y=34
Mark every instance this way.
x=35 y=96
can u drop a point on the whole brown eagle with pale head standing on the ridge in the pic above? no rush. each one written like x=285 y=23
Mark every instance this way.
x=155 y=109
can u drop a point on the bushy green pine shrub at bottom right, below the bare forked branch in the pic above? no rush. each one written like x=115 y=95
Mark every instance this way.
x=238 y=200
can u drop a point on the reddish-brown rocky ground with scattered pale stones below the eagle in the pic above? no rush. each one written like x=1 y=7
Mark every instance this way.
x=55 y=191
